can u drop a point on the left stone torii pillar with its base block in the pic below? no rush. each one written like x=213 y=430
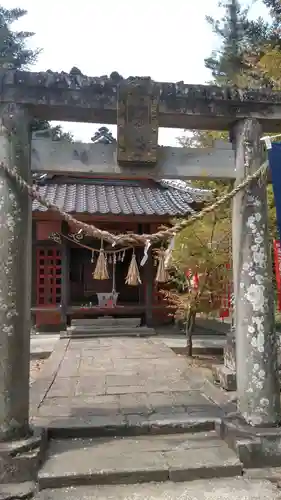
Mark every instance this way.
x=16 y=438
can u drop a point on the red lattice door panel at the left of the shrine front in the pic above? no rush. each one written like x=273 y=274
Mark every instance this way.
x=48 y=277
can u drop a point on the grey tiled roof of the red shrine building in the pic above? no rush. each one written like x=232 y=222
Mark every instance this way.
x=121 y=197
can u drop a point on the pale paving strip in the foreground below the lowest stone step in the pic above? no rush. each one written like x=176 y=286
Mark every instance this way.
x=215 y=489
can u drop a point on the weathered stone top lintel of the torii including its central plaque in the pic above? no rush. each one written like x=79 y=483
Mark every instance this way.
x=138 y=105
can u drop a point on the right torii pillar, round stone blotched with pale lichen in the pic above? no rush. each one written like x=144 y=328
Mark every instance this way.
x=256 y=341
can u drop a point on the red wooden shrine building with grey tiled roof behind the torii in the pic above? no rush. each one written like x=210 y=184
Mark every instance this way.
x=64 y=259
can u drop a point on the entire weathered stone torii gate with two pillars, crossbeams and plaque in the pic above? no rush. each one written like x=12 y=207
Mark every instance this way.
x=139 y=107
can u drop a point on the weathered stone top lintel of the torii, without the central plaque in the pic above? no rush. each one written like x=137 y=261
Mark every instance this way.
x=76 y=97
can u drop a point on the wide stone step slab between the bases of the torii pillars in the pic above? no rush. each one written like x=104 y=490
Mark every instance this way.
x=175 y=457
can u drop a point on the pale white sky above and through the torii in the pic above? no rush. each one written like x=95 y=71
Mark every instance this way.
x=167 y=41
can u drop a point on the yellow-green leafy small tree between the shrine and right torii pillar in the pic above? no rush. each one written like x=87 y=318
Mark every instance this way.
x=202 y=249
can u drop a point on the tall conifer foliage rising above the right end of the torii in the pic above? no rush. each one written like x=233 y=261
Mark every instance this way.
x=243 y=43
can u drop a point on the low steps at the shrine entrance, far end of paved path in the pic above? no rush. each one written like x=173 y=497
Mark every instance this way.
x=107 y=327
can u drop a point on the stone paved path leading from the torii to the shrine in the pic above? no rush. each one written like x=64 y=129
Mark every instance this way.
x=115 y=380
